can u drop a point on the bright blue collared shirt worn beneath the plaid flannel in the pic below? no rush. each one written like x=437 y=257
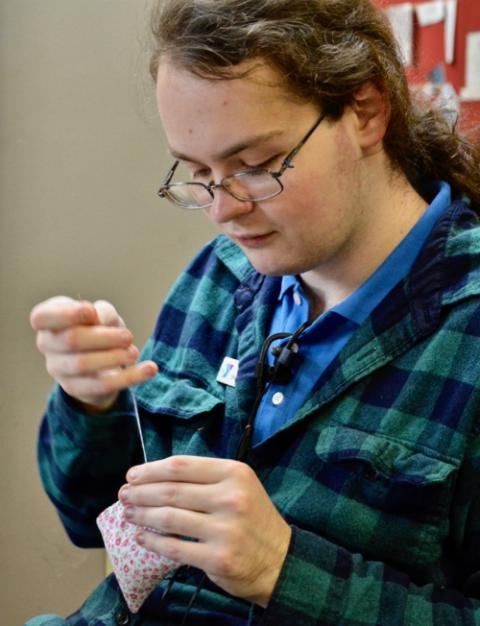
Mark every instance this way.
x=320 y=343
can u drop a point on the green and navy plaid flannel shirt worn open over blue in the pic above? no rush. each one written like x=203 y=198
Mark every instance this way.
x=378 y=474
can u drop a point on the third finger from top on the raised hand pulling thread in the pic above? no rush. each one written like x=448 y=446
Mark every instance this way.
x=84 y=363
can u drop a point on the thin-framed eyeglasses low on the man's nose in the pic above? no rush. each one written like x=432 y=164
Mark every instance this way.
x=247 y=186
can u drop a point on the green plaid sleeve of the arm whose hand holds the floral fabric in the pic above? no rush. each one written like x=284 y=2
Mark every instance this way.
x=323 y=584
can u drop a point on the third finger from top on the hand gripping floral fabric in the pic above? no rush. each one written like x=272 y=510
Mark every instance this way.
x=171 y=521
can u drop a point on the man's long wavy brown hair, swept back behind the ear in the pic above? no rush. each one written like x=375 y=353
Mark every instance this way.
x=324 y=50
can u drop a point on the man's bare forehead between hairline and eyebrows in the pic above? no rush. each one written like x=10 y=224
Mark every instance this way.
x=194 y=109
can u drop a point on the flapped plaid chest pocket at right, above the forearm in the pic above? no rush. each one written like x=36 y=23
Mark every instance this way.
x=385 y=498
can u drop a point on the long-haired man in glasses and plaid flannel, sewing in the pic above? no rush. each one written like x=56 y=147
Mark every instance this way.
x=333 y=479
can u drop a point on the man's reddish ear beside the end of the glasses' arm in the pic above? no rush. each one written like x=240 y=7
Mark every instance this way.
x=372 y=112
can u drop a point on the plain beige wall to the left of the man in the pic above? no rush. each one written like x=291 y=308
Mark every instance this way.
x=81 y=156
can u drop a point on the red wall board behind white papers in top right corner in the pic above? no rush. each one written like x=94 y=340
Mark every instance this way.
x=430 y=52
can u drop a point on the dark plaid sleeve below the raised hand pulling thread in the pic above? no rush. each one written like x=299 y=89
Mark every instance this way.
x=83 y=460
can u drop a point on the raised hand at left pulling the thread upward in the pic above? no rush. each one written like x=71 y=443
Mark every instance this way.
x=88 y=350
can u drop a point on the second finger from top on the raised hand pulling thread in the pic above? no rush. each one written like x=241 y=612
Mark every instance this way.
x=83 y=339
